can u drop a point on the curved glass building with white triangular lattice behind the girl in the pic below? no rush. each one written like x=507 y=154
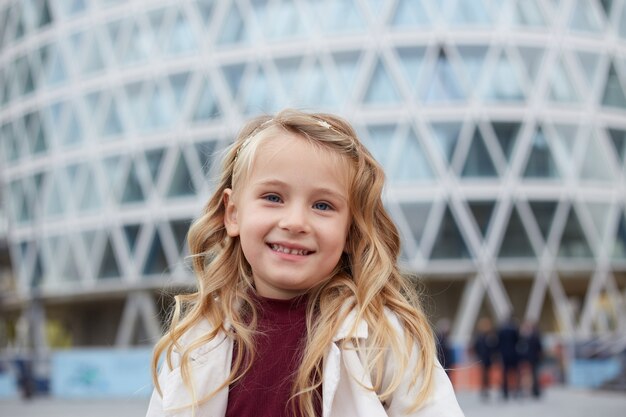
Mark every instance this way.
x=501 y=126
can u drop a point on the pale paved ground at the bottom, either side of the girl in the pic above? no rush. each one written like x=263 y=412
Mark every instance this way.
x=557 y=402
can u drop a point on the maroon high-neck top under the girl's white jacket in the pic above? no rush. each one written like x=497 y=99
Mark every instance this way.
x=265 y=389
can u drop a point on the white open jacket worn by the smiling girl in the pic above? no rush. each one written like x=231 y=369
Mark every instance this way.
x=343 y=395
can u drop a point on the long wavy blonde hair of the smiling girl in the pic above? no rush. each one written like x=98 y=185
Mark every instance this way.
x=366 y=279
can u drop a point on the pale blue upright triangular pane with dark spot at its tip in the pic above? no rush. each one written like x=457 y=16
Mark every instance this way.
x=442 y=84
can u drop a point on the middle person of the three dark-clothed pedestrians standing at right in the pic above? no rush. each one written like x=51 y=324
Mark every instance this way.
x=508 y=338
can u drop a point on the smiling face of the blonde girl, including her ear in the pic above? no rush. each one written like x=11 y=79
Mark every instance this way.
x=291 y=215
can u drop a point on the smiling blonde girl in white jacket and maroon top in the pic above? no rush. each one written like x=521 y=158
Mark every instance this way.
x=300 y=308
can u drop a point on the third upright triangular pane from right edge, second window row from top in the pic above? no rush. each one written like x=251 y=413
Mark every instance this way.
x=505 y=82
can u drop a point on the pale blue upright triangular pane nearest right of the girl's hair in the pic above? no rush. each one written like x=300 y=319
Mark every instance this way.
x=412 y=163
